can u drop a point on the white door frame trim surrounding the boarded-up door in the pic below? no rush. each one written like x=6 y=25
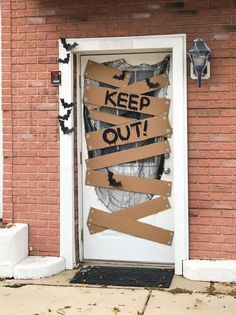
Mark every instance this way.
x=174 y=43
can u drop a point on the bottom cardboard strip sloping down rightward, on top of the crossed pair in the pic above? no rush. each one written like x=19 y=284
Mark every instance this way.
x=131 y=227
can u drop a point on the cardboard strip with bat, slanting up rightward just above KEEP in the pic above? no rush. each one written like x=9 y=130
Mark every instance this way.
x=148 y=85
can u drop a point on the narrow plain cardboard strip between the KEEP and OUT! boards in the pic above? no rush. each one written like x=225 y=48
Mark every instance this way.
x=110 y=118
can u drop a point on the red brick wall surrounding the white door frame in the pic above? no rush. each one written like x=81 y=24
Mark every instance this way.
x=31 y=151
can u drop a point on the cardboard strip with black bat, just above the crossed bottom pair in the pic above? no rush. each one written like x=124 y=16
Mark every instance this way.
x=129 y=183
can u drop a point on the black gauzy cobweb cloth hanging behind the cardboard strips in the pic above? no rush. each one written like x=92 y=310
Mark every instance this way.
x=150 y=167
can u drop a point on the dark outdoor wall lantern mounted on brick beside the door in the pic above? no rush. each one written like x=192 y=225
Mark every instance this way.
x=200 y=65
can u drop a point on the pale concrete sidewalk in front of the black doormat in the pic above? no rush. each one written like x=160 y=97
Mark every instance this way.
x=57 y=296
